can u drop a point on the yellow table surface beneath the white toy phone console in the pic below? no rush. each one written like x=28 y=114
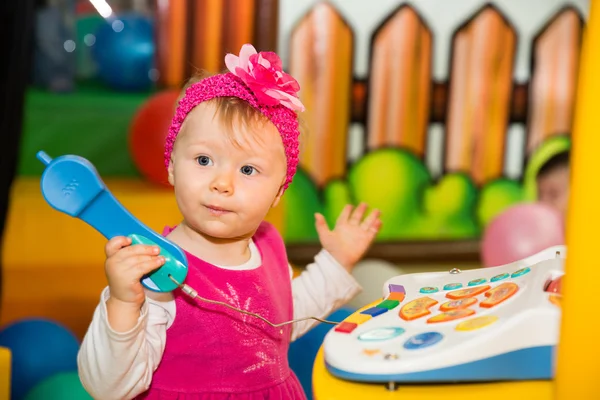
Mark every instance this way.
x=328 y=387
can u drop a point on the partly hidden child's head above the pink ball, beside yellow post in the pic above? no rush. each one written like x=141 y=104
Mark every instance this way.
x=553 y=182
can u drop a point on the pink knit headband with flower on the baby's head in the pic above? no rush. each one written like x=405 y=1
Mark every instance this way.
x=258 y=79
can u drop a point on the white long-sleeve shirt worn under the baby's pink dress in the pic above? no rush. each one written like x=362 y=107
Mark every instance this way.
x=119 y=365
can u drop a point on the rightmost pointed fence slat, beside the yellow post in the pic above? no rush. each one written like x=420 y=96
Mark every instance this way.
x=554 y=78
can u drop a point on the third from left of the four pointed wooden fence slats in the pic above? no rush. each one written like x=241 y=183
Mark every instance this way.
x=479 y=99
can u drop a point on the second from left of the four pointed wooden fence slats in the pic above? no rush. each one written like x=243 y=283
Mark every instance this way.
x=400 y=83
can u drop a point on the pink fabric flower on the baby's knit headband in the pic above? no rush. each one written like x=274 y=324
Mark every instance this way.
x=263 y=74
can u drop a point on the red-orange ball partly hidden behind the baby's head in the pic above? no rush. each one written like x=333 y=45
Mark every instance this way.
x=147 y=135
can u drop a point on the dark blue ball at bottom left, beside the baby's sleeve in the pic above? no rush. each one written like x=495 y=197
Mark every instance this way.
x=39 y=349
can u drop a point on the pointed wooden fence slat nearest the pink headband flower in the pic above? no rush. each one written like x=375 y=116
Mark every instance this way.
x=321 y=60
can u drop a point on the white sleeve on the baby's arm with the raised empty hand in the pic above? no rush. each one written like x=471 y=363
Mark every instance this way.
x=321 y=289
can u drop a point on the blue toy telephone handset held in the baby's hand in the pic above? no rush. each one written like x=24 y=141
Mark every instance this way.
x=72 y=185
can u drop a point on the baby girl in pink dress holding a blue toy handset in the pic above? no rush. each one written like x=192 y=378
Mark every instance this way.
x=231 y=152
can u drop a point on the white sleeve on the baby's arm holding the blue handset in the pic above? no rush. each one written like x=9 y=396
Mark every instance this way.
x=119 y=365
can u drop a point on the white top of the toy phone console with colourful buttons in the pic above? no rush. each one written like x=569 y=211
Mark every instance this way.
x=439 y=312
